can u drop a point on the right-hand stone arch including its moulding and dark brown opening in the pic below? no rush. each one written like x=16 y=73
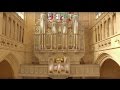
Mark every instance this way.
x=109 y=66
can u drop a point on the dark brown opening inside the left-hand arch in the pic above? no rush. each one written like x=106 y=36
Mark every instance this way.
x=6 y=71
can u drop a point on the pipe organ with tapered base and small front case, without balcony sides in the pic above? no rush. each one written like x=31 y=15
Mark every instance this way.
x=58 y=40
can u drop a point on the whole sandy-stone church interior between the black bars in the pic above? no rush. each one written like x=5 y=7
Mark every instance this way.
x=59 y=45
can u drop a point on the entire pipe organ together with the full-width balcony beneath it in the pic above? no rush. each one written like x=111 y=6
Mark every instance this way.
x=59 y=47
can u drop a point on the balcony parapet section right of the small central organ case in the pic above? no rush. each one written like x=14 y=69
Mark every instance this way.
x=85 y=70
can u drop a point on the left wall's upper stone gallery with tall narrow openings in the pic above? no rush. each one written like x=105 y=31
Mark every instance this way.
x=12 y=34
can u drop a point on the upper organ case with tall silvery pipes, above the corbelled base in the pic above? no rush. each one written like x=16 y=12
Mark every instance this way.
x=61 y=34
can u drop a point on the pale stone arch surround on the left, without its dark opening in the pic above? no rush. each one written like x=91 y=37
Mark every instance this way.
x=12 y=60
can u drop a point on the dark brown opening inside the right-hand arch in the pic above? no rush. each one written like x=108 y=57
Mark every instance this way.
x=110 y=70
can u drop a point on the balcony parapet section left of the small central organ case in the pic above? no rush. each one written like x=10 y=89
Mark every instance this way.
x=33 y=71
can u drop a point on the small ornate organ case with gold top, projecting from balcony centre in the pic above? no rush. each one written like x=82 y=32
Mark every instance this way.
x=59 y=66
